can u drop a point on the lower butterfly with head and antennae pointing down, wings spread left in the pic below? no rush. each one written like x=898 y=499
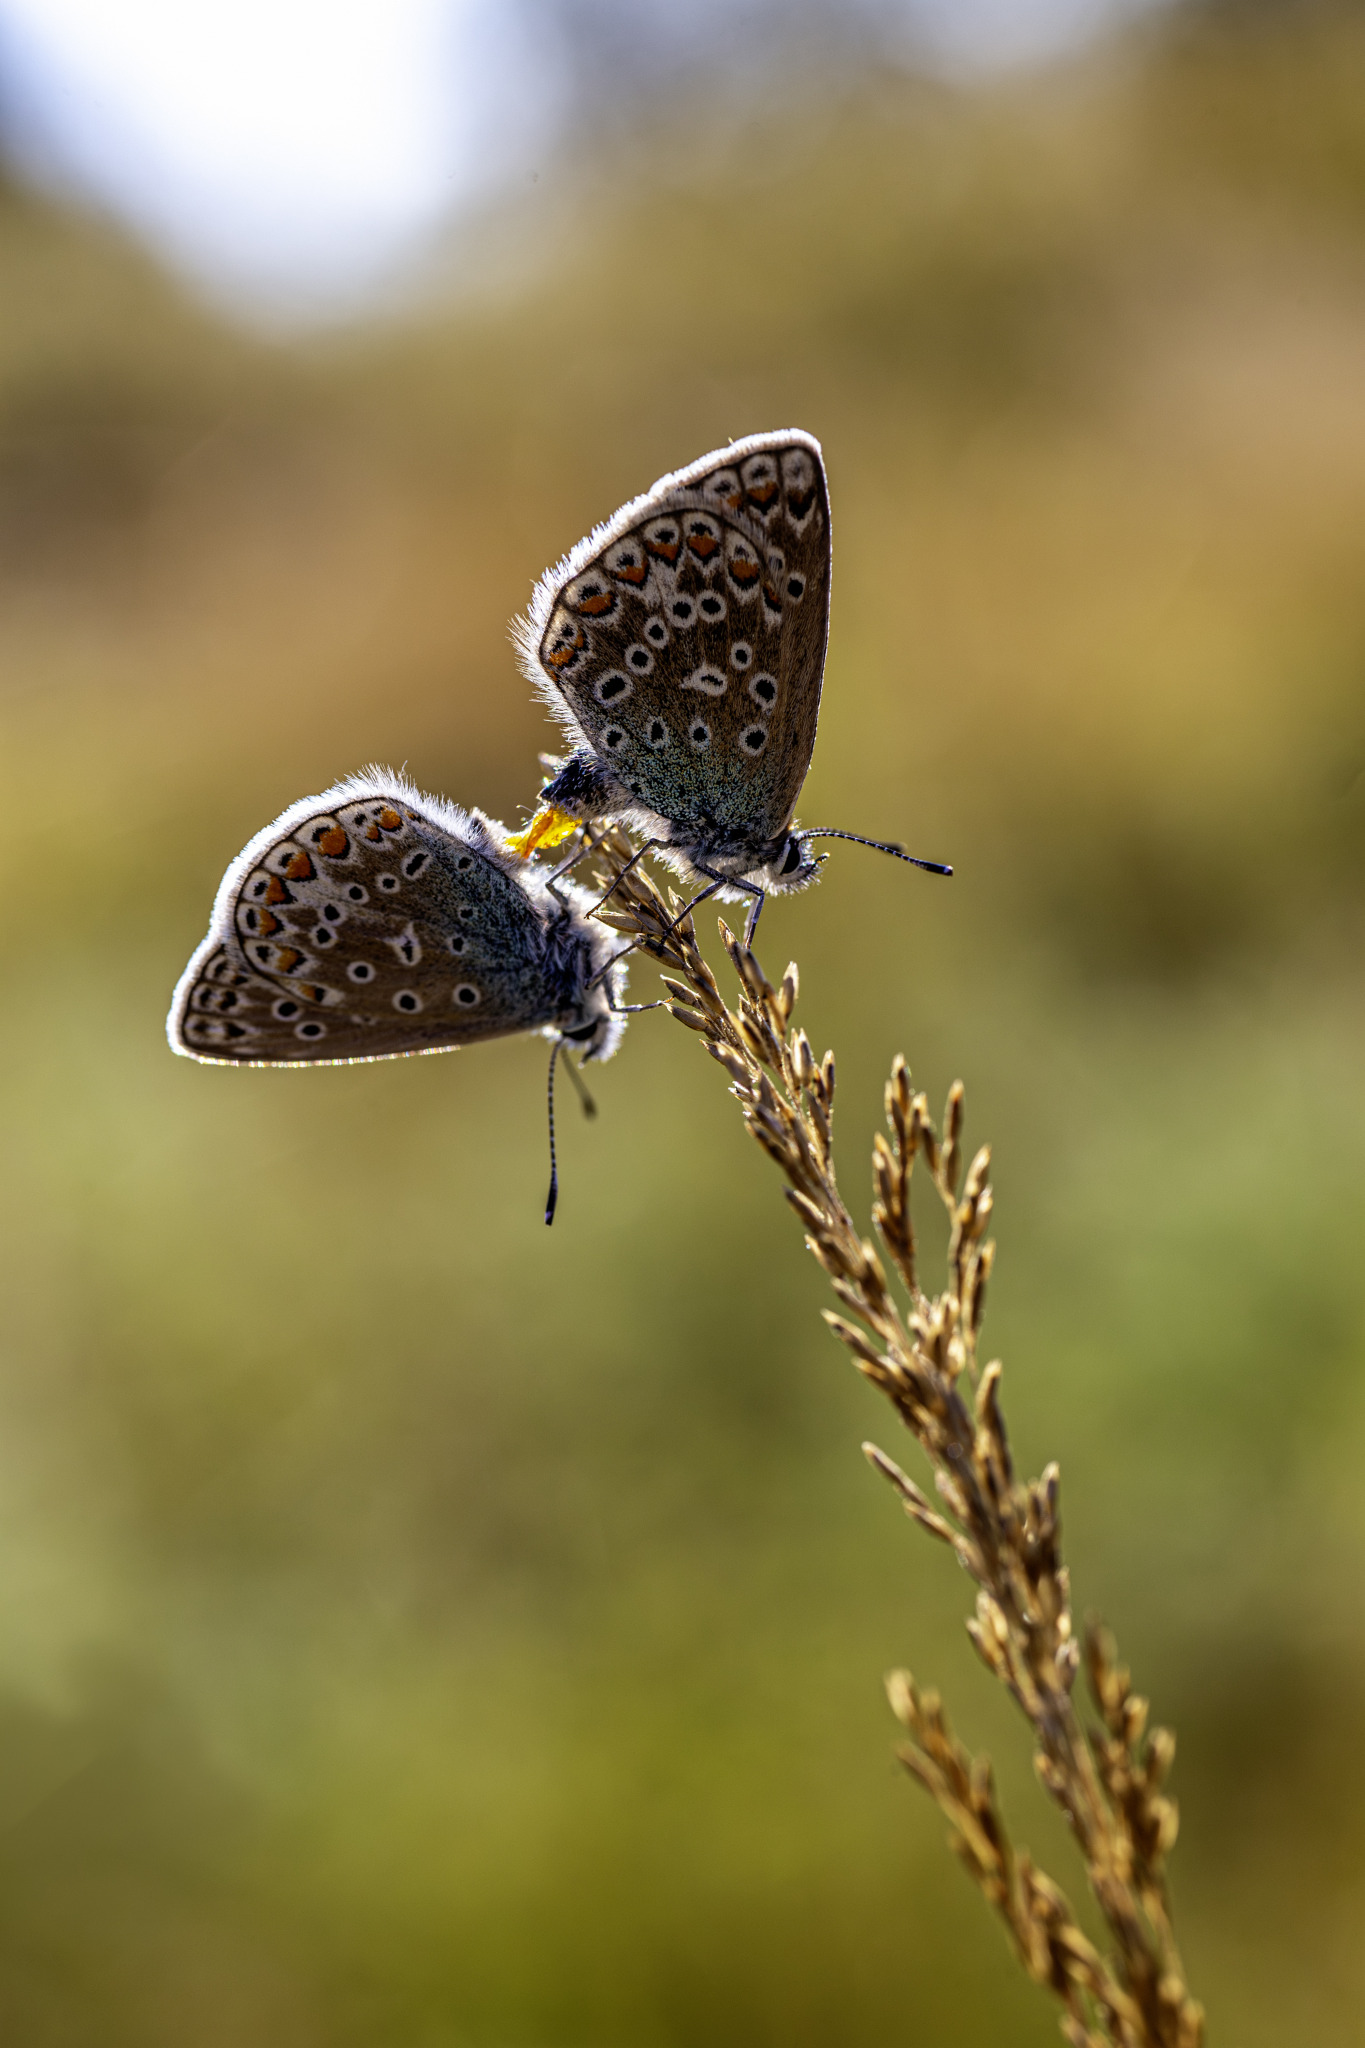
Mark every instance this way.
x=376 y=923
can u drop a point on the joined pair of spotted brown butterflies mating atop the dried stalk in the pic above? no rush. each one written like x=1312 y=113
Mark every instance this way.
x=682 y=646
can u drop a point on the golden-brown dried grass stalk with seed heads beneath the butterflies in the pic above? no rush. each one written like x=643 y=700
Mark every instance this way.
x=1004 y=1531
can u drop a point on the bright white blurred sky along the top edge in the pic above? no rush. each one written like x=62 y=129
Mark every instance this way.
x=296 y=155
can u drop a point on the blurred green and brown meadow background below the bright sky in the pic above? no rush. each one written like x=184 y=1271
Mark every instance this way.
x=425 y=1629
